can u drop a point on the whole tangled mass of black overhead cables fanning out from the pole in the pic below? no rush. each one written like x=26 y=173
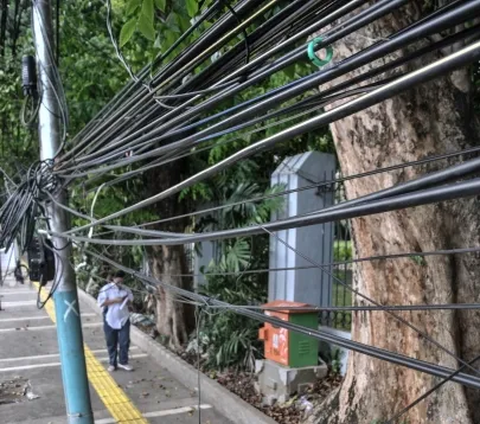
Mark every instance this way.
x=164 y=114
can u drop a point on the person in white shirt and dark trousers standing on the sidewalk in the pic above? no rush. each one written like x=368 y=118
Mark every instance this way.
x=114 y=298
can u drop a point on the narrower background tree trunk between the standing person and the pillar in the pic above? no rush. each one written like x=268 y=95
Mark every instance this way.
x=169 y=264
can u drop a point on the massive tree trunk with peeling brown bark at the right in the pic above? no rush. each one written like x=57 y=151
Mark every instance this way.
x=432 y=119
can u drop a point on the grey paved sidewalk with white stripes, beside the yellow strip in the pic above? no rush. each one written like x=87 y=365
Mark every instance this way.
x=29 y=365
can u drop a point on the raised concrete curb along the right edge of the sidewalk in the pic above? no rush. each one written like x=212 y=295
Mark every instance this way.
x=224 y=401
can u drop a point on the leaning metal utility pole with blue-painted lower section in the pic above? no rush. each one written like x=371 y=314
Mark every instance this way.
x=67 y=311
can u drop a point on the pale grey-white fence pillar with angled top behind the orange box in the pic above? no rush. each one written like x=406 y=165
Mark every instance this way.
x=312 y=285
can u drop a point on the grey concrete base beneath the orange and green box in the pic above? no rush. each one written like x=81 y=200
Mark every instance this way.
x=277 y=383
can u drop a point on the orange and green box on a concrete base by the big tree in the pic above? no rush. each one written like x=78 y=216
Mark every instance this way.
x=288 y=347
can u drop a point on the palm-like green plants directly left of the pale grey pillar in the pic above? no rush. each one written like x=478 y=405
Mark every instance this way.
x=227 y=339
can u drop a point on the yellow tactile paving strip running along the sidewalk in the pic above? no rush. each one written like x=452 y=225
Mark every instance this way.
x=112 y=396
